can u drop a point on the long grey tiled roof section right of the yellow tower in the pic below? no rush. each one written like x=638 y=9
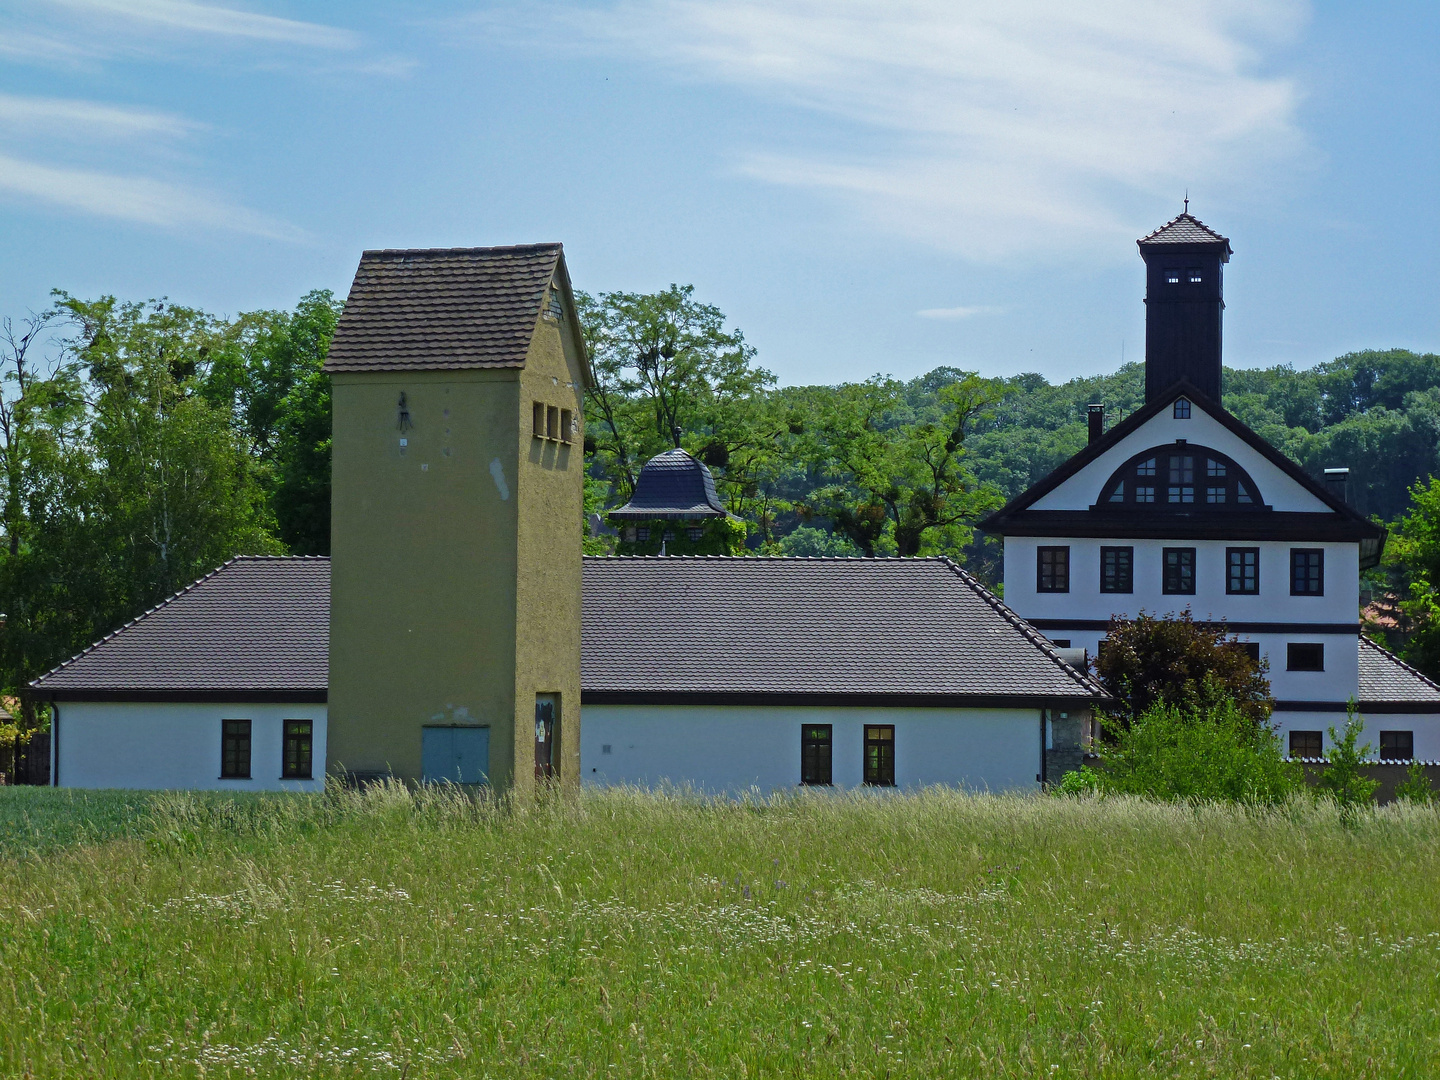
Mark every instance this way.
x=748 y=630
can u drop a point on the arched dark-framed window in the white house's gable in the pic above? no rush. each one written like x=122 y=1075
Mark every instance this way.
x=1180 y=476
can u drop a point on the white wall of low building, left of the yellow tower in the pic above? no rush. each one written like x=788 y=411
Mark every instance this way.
x=178 y=745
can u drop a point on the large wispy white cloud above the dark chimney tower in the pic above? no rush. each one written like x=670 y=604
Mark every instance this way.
x=994 y=130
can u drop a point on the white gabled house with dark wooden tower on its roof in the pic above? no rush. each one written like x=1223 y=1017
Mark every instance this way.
x=1182 y=506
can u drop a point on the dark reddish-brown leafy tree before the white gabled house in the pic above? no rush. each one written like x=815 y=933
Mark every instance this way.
x=1176 y=662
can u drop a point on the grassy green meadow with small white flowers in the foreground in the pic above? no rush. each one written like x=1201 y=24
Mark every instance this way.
x=629 y=935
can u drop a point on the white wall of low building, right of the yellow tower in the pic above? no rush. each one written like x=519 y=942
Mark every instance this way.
x=734 y=748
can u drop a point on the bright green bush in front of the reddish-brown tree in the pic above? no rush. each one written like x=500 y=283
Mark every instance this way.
x=1180 y=755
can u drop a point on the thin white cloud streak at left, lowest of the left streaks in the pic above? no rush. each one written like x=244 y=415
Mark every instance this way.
x=135 y=199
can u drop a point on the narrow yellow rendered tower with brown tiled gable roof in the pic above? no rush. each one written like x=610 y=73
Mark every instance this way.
x=459 y=381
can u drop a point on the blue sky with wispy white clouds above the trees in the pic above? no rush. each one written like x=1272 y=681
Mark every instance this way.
x=863 y=186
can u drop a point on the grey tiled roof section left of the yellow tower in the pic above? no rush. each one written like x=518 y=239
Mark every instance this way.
x=256 y=629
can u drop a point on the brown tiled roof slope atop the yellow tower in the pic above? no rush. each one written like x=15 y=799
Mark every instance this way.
x=443 y=309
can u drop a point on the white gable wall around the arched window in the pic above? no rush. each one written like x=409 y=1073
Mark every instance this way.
x=1082 y=490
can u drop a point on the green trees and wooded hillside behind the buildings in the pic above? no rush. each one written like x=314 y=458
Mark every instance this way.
x=142 y=444
